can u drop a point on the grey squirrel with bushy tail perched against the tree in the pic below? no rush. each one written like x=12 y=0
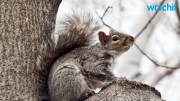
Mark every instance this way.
x=70 y=67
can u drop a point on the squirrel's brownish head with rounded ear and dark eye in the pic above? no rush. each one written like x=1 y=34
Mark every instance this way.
x=116 y=41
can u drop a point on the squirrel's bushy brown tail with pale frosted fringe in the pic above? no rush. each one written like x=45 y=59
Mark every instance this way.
x=73 y=31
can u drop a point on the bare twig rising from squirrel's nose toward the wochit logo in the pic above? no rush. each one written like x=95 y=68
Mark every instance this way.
x=148 y=22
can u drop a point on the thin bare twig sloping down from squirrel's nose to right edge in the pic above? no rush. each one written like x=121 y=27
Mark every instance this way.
x=153 y=60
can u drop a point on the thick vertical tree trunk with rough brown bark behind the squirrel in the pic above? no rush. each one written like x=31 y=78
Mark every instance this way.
x=24 y=24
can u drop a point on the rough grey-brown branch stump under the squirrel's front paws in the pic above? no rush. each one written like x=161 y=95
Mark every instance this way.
x=126 y=90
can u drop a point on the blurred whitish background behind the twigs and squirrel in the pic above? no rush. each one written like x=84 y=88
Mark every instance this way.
x=160 y=40
